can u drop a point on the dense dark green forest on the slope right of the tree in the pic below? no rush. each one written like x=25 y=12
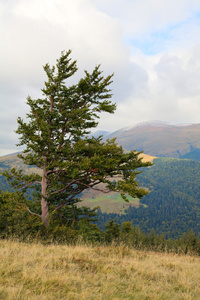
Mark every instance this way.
x=172 y=207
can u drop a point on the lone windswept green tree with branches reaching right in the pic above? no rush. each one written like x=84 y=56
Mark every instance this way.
x=57 y=142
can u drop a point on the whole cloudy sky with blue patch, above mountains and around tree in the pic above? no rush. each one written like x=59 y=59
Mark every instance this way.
x=151 y=46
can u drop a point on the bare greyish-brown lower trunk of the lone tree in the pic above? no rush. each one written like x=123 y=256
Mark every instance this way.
x=44 y=203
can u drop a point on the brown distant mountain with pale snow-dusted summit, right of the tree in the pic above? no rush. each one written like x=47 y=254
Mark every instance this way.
x=162 y=139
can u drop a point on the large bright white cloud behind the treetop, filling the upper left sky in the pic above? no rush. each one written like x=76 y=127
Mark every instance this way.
x=35 y=32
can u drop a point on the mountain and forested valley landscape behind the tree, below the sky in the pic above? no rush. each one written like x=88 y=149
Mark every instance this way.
x=173 y=205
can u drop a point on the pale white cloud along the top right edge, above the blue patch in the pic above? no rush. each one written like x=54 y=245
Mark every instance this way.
x=144 y=16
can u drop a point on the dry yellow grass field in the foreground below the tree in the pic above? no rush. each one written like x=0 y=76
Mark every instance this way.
x=36 y=271
